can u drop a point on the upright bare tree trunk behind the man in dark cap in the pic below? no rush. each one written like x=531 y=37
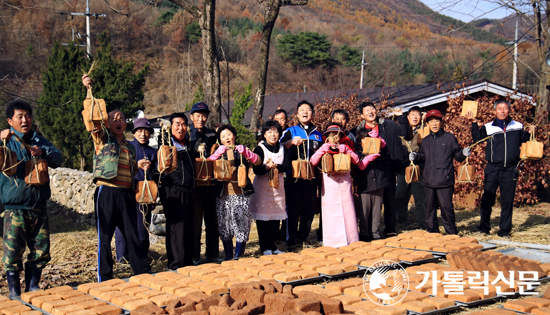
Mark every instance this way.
x=206 y=14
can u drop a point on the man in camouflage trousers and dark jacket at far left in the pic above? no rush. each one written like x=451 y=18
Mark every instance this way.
x=25 y=217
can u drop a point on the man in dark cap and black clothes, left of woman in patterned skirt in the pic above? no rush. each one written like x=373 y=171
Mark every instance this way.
x=202 y=139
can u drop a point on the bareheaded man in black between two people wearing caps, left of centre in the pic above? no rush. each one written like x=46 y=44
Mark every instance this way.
x=176 y=196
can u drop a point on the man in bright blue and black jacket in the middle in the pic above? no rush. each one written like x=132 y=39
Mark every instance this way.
x=301 y=194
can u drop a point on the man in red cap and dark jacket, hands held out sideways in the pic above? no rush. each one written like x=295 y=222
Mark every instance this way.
x=437 y=152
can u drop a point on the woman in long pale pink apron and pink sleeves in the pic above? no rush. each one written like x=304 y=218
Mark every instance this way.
x=339 y=219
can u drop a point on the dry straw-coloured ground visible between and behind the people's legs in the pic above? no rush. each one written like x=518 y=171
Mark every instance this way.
x=74 y=246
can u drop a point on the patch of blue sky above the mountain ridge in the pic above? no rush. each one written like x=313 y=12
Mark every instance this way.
x=467 y=10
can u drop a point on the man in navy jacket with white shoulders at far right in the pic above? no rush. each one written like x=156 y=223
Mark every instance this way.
x=502 y=155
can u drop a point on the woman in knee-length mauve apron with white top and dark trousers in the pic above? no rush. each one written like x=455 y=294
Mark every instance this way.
x=267 y=204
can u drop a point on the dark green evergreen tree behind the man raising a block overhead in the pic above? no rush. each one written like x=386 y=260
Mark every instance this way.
x=60 y=104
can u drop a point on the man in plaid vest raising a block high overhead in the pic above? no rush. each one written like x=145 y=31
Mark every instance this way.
x=115 y=200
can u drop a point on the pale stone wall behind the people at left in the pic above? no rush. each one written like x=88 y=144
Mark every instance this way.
x=73 y=190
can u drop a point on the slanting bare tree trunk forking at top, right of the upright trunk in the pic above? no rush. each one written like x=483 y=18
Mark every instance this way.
x=271 y=12
